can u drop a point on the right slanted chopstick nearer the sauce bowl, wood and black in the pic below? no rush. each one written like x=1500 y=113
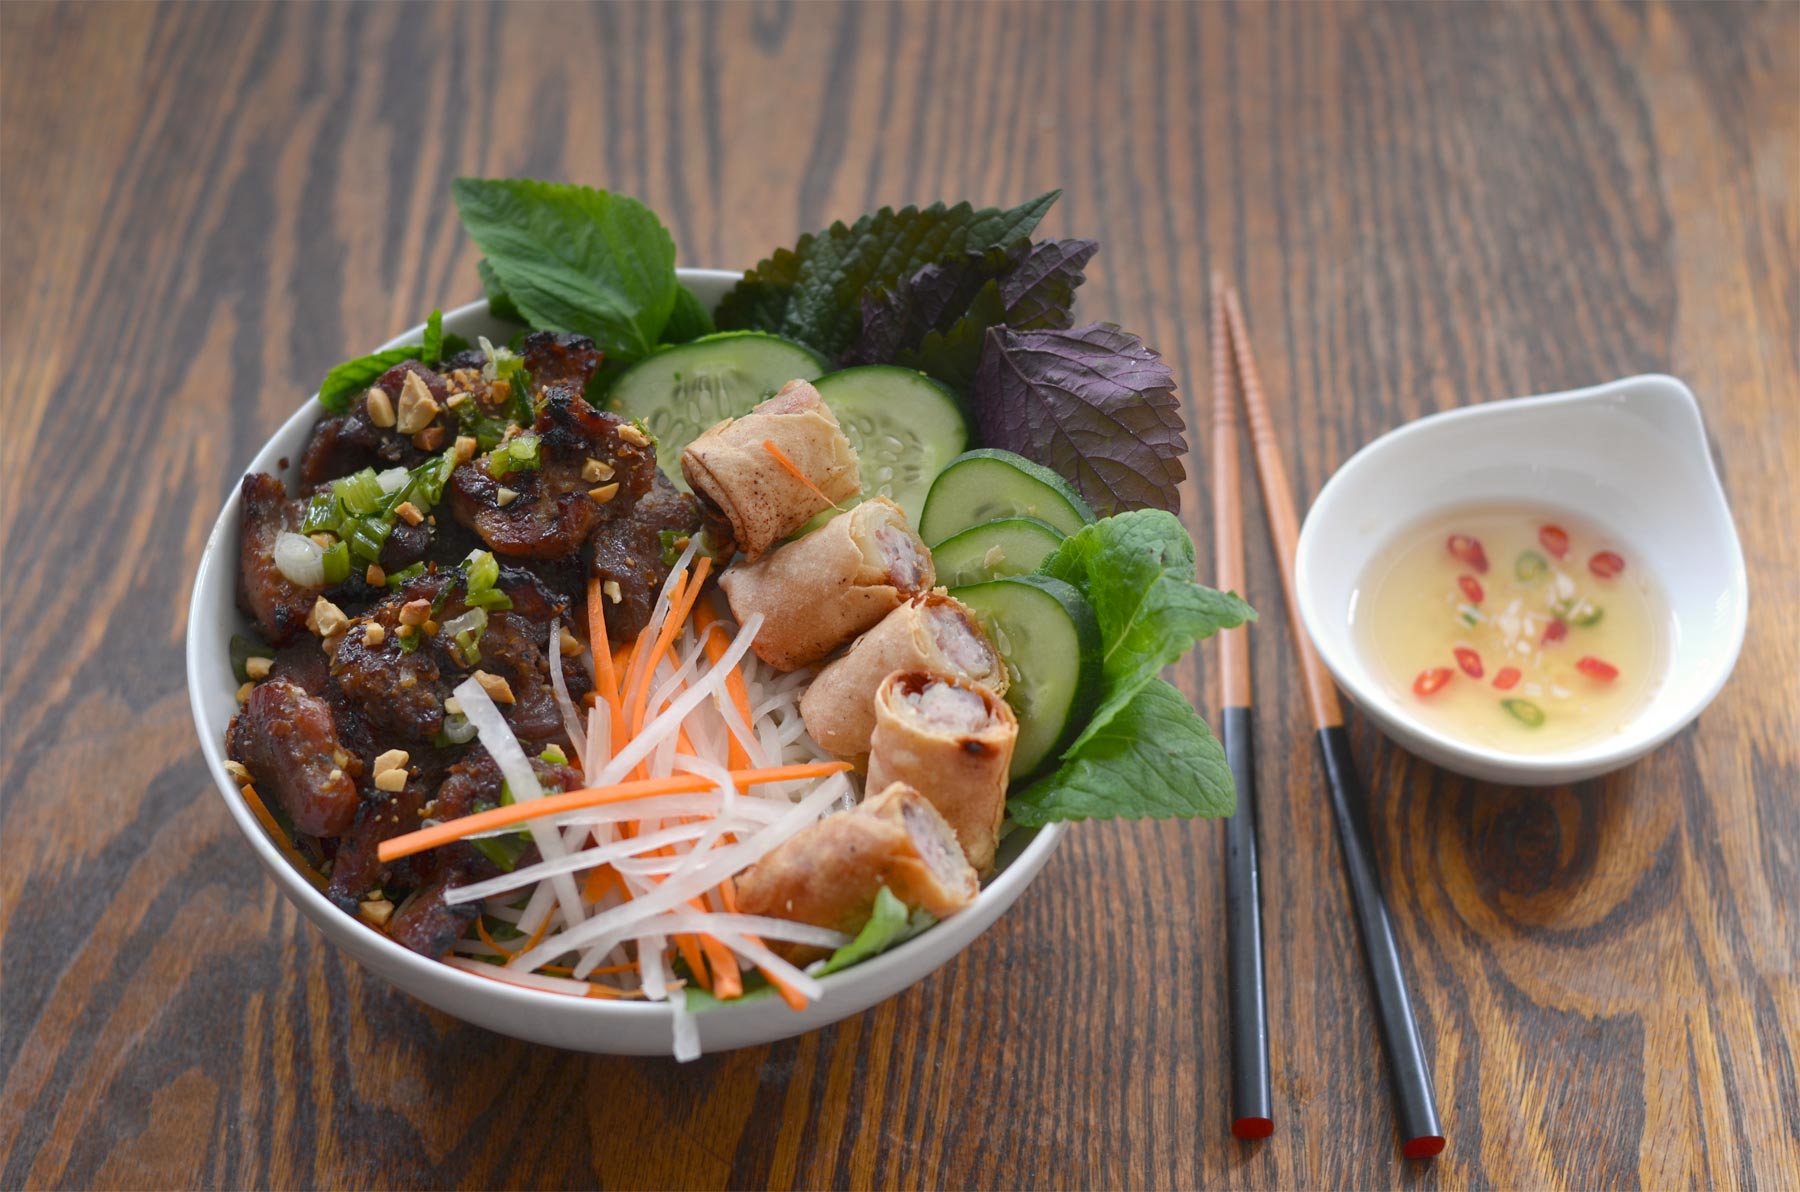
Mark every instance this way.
x=1421 y=1132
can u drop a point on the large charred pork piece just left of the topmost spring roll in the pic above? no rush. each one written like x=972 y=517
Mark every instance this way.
x=591 y=469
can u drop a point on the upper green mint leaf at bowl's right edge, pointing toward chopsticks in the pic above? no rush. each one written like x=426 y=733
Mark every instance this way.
x=1137 y=570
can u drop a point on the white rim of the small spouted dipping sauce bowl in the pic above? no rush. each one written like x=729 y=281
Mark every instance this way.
x=1556 y=766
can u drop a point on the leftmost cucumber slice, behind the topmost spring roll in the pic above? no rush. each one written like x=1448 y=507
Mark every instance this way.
x=681 y=392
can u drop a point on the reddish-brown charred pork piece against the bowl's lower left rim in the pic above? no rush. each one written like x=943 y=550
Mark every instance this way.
x=291 y=746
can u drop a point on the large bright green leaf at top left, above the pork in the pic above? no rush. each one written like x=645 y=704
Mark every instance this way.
x=575 y=260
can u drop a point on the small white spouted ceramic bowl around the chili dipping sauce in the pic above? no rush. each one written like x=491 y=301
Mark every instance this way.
x=1632 y=456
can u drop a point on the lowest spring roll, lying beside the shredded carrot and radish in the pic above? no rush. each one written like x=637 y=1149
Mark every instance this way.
x=829 y=874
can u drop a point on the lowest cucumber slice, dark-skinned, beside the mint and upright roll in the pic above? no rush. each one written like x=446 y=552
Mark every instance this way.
x=1048 y=635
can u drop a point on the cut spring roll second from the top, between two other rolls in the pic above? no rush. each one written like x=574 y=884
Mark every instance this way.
x=820 y=591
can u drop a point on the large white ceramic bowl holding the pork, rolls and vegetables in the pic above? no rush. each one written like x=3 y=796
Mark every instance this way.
x=580 y=1024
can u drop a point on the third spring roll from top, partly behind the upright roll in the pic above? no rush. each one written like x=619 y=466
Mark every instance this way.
x=931 y=633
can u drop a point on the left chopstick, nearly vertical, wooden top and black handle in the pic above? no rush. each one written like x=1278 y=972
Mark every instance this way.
x=1252 y=1110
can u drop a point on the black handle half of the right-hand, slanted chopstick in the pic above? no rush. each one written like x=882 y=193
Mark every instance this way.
x=1421 y=1132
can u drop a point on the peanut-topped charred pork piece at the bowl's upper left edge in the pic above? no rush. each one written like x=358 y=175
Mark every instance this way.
x=395 y=424
